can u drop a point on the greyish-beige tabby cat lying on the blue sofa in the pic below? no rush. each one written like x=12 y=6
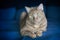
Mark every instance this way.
x=34 y=23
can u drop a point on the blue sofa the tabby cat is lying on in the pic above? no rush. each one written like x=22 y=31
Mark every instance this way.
x=9 y=24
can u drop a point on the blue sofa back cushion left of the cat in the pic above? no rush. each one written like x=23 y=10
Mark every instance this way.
x=7 y=13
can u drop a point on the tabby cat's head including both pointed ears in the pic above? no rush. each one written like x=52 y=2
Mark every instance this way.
x=35 y=13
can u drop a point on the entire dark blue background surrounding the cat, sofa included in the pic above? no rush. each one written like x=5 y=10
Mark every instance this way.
x=10 y=11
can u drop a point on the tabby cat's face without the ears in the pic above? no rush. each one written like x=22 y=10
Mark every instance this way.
x=35 y=15
